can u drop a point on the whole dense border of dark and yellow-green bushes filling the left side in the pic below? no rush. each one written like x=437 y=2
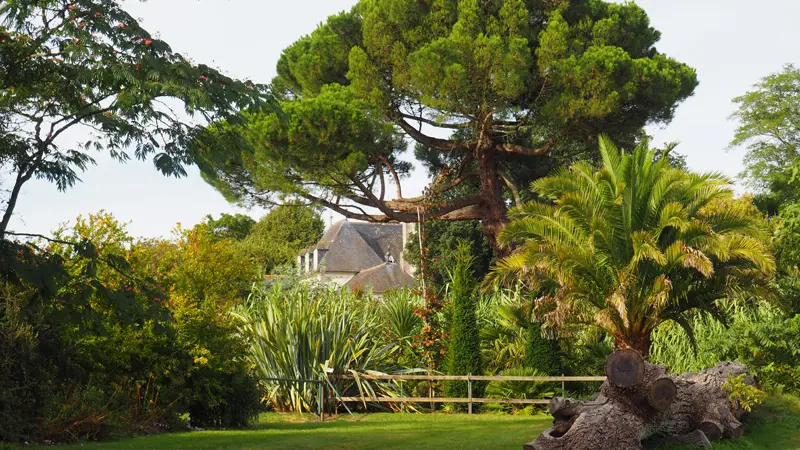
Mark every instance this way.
x=92 y=348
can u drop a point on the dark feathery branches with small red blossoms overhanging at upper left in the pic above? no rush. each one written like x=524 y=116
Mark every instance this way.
x=89 y=64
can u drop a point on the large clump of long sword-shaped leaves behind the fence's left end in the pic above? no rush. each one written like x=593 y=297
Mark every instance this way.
x=298 y=332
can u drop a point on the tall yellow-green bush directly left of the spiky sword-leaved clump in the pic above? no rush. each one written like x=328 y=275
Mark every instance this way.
x=206 y=275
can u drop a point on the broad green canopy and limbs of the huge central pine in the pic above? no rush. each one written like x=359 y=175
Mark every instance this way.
x=479 y=87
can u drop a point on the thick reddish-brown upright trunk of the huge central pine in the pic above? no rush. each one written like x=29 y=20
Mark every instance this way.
x=492 y=197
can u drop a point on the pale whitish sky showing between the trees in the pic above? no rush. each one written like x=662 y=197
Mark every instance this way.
x=731 y=44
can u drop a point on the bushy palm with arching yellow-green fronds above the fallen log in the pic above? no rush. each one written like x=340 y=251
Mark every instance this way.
x=632 y=245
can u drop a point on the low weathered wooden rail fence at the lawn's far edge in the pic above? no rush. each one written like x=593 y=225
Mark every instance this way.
x=469 y=379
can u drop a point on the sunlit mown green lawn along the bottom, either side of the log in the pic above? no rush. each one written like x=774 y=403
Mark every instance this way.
x=775 y=426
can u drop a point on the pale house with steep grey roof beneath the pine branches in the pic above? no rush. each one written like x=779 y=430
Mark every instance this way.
x=361 y=255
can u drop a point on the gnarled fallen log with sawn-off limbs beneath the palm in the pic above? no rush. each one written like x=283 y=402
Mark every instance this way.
x=643 y=402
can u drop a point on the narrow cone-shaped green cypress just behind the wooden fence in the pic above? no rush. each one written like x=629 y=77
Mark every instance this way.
x=464 y=349
